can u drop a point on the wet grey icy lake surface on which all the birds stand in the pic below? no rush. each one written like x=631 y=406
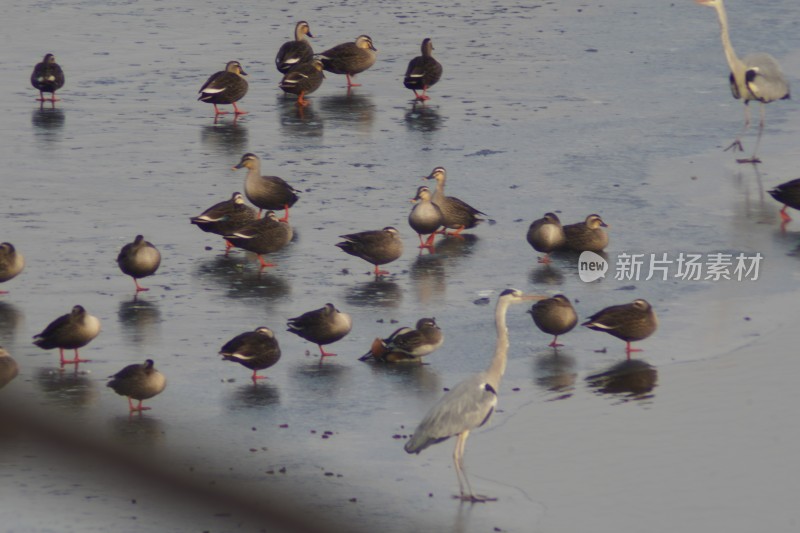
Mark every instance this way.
x=620 y=108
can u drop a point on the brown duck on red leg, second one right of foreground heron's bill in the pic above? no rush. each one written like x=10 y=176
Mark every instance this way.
x=630 y=322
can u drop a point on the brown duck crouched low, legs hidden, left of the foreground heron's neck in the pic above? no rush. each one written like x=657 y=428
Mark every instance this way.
x=407 y=344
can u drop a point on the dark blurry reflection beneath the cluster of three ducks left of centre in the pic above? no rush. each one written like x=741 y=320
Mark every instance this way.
x=242 y=282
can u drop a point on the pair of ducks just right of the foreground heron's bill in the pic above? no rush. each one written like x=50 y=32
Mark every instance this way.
x=630 y=322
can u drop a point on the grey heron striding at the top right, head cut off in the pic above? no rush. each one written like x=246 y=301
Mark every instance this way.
x=754 y=77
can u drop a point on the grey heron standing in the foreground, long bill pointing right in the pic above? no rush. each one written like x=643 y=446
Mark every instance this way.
x=469 y=404
